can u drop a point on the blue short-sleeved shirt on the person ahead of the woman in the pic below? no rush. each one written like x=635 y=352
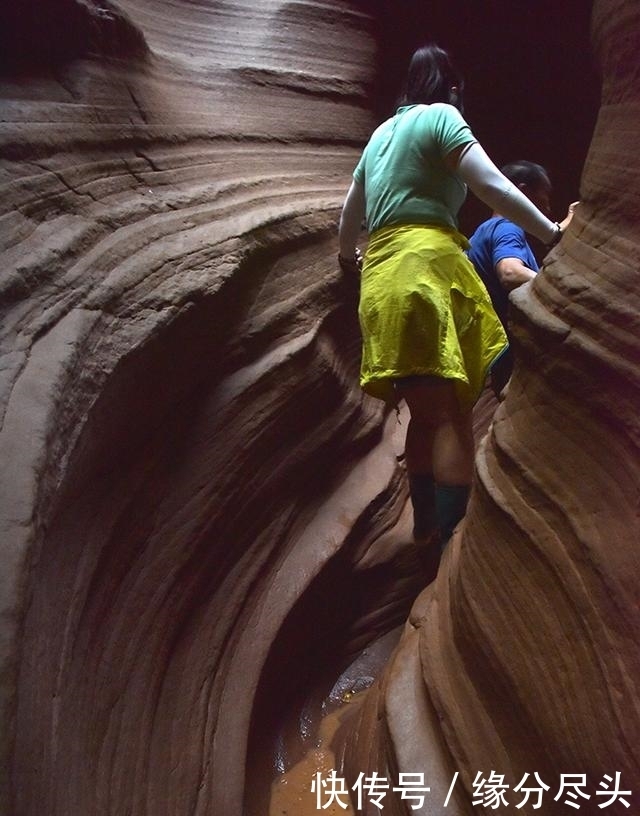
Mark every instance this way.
x=493 y=241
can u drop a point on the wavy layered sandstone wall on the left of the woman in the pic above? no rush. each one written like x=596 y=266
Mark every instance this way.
x=180 y=414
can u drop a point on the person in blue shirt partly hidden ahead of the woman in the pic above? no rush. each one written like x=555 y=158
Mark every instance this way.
x=502 y=256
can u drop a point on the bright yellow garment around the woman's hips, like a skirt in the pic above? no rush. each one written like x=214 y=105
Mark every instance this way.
x=424 y=311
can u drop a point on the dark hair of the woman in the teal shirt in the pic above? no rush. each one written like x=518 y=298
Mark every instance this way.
x=432 y=78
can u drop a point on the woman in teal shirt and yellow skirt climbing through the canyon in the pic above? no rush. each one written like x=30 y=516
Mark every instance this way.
x=429 y=333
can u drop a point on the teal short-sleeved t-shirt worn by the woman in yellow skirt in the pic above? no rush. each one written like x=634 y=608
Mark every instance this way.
x=402 y=170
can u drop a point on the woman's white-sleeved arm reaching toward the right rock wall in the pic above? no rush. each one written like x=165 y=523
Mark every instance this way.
x=472 y=165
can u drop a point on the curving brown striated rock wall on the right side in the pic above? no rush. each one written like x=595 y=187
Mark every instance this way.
x=523 y=656
